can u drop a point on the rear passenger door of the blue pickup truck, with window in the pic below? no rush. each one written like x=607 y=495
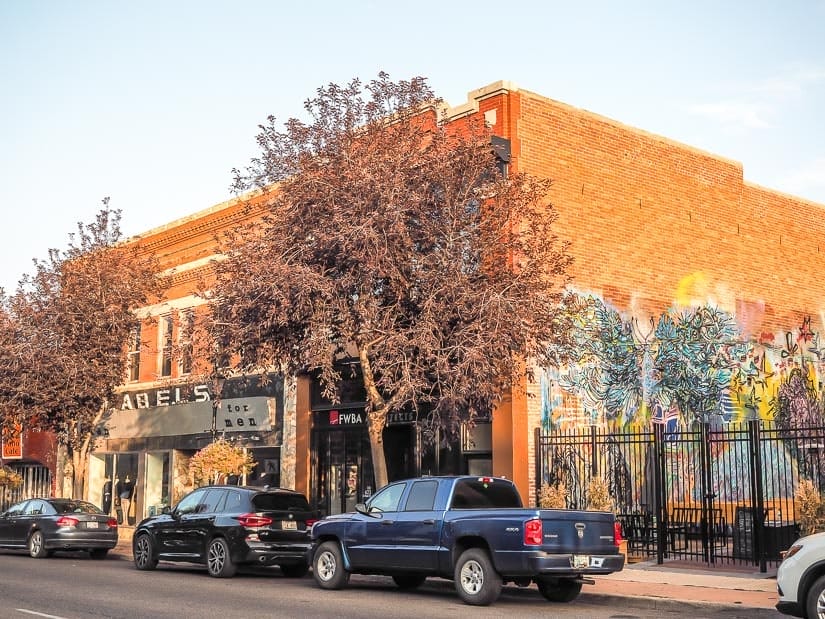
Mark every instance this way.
x=417 y=529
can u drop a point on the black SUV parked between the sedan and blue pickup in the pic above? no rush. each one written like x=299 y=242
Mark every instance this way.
x=227 y=526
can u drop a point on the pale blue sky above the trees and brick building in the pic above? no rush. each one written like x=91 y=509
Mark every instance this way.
x=153 y=103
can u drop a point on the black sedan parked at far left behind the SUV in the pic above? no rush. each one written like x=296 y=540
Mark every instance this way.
x=43 y=526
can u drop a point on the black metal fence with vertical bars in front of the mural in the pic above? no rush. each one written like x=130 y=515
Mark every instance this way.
x=715 y=495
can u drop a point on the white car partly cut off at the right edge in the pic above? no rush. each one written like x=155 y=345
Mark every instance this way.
x=801 y=578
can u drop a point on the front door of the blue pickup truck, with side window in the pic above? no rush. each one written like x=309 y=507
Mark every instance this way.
x=371 y=536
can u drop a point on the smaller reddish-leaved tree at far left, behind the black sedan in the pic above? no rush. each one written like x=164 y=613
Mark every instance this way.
x=65 y=333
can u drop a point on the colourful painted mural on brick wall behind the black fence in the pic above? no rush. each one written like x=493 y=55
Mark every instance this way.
x=685 y=366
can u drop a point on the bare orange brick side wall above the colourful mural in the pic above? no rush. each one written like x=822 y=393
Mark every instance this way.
x=653 y=222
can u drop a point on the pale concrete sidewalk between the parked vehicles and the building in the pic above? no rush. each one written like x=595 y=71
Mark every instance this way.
x=649 y=585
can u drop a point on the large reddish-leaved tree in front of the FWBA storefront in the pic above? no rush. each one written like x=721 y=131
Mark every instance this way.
x=392 y=239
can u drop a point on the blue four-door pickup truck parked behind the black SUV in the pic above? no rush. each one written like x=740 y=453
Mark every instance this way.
x=472 y=530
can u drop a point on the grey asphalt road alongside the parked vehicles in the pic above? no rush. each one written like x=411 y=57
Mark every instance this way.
x=75 y=587
